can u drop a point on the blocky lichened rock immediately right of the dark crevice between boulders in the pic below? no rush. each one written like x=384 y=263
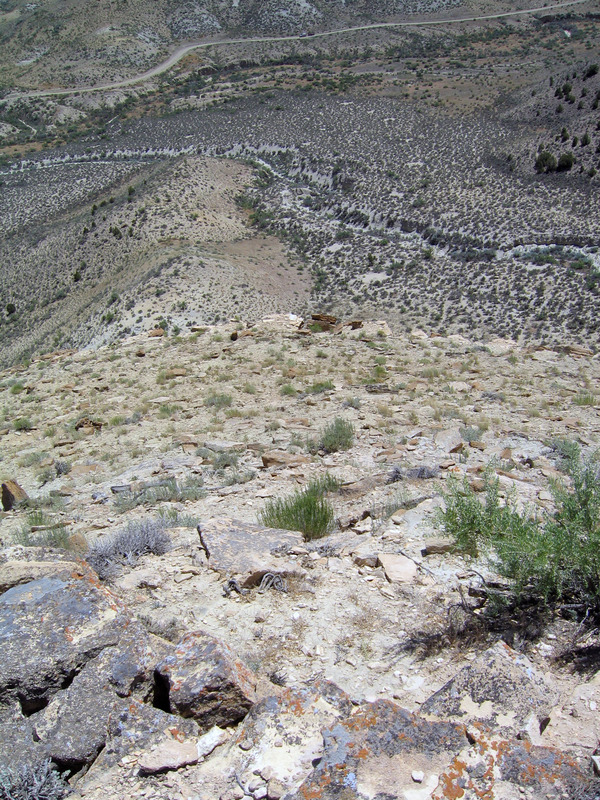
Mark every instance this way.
x=202 y=678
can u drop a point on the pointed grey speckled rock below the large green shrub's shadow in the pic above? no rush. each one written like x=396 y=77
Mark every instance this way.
x=501 y=688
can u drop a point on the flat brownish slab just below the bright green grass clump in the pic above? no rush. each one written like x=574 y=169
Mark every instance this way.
x=247 y=551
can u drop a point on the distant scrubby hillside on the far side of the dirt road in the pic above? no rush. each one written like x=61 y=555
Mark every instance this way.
x=121 y=39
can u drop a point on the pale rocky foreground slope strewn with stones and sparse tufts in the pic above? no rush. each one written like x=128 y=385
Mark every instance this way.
x=160 y=640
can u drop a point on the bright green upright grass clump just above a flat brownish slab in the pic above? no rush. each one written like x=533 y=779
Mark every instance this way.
x=307 y=510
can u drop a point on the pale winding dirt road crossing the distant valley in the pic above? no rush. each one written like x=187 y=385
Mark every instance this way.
x=182 y=51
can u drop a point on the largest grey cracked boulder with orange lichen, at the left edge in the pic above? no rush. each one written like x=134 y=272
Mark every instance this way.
x=71 y=654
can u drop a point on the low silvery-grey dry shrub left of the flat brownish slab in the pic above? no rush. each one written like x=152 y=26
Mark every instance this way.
x=139 y=538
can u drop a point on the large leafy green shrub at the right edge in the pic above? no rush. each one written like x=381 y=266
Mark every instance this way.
x=553 y=560
